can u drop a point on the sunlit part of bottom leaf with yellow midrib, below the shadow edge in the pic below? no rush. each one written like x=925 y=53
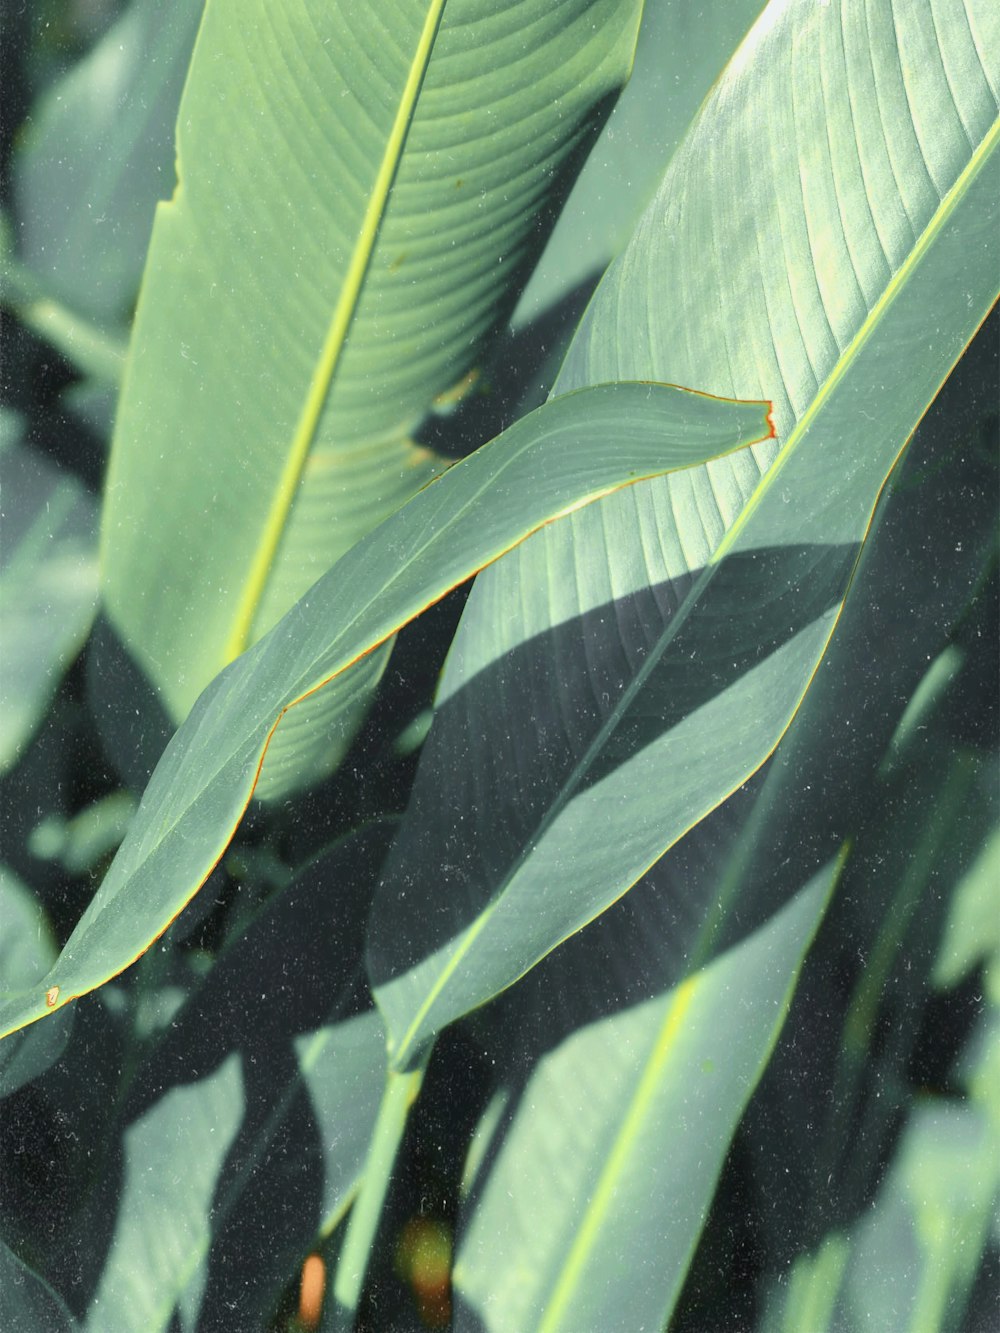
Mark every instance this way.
x=591 y=1212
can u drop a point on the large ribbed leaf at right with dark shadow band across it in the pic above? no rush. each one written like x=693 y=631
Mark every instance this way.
x=841 y=183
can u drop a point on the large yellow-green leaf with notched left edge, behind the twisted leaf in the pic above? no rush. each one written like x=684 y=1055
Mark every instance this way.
x=361 y=197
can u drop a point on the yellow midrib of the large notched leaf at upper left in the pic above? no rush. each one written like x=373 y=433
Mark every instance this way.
x=342 y=319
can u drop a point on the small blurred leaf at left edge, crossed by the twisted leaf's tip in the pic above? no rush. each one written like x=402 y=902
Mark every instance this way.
x=27 y=952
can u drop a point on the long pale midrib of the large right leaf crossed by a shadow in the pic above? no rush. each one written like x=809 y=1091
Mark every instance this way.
x=843 y=365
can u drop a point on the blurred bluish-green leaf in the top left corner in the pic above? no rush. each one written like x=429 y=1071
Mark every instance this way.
x=95 y=158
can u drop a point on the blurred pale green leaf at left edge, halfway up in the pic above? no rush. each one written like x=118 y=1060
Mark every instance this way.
x=49 y=589
